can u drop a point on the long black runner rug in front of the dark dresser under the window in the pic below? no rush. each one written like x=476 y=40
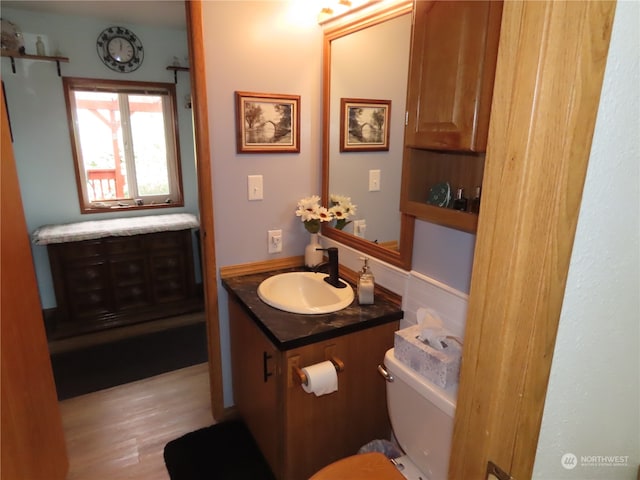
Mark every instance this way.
x=103 y=366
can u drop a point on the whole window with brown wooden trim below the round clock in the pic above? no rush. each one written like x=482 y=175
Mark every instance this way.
x=125 y=144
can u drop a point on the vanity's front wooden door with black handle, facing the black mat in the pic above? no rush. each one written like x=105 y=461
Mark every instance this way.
x=255 y=367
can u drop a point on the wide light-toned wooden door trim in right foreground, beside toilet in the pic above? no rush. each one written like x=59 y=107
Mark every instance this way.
x=547 y=91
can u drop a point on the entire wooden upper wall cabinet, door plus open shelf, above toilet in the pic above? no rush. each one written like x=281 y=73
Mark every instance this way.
x=451 y=75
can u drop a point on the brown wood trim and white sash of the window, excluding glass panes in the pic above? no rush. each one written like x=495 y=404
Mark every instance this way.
x=168 y=93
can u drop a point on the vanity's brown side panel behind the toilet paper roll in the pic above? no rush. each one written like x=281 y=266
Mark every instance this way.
x=321 y=430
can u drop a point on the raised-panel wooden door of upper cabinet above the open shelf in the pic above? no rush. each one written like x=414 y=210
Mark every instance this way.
x=452 y=68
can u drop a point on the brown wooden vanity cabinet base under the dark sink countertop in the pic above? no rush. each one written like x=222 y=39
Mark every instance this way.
x=298 y=432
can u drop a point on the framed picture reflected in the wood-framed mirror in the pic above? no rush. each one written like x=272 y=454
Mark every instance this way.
x=364 y=125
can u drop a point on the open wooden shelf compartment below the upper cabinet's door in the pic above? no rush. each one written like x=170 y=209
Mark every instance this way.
x=426 y=168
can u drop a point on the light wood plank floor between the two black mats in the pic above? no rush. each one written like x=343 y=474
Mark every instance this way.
x=120 y=433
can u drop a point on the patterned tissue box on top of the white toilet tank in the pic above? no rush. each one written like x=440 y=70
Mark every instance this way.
x=441 y=367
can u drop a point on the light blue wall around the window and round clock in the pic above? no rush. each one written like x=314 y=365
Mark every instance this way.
x=39 y=121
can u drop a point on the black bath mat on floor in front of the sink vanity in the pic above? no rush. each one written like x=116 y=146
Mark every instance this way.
x=225 y=451
